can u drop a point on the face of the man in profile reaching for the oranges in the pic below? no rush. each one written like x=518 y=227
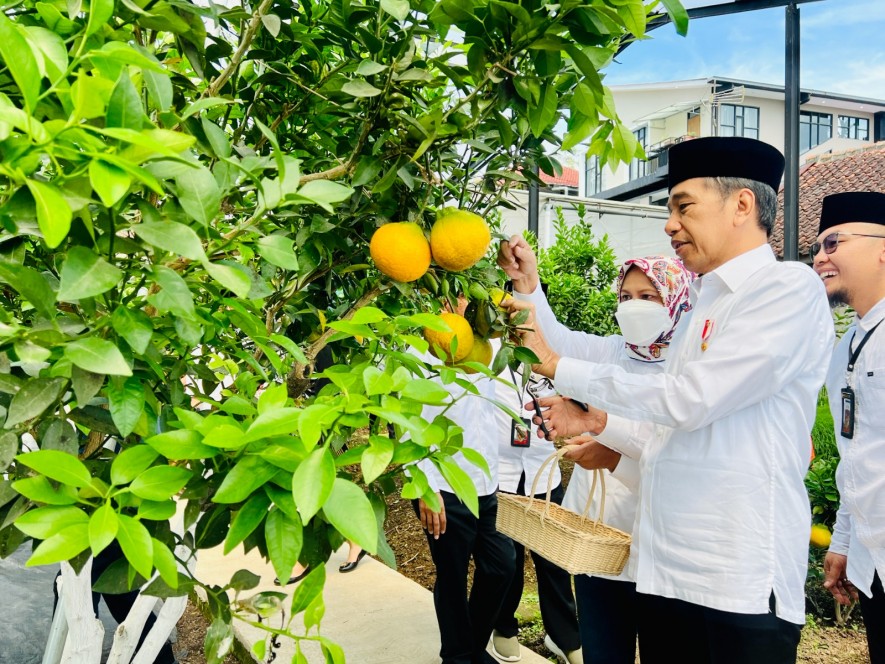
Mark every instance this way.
x=699 y=225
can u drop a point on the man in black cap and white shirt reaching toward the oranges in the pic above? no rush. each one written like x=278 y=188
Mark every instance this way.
x=721 y=537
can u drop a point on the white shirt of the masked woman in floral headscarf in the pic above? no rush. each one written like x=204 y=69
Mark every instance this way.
x=621 y=487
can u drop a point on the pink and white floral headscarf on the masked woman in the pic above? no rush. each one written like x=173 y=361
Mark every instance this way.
x=672 y=280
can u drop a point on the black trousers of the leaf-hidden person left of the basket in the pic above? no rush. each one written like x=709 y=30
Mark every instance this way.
x=465 y=623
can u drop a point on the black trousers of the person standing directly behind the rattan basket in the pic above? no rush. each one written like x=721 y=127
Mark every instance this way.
x=554 y=592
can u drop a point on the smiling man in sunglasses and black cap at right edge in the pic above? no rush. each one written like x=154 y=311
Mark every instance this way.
x=849 y=256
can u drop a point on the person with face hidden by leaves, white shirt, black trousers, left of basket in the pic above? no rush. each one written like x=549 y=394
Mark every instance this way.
x=455 y=535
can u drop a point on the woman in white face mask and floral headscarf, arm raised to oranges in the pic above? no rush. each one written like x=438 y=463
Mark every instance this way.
x=653 y=294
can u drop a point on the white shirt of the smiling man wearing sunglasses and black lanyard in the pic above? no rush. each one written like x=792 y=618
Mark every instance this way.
x=860 y=475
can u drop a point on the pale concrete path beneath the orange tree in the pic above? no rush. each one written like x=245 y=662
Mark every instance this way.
x=377 y=615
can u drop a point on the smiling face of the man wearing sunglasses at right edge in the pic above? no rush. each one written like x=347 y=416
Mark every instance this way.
x=854 y=265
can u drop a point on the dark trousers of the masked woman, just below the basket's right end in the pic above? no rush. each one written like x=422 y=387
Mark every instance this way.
x=607 y=614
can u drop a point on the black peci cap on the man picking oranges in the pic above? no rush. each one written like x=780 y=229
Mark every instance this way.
x=731 y=156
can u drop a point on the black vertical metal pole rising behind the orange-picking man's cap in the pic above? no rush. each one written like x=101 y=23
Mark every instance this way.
x=791 y=135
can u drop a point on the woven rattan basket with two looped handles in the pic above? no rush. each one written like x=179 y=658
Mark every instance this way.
x=572 y=541
